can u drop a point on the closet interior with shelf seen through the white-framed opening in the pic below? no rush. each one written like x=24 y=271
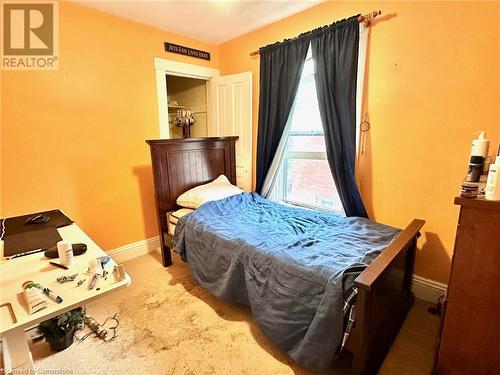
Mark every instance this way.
x=187 y=100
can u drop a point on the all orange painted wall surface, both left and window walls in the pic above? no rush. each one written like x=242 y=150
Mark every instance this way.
x=74 y=138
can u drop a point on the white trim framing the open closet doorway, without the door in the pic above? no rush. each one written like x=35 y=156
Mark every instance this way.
x=180 y=69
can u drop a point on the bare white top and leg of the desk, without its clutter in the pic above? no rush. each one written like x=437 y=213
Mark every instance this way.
x=15 y=319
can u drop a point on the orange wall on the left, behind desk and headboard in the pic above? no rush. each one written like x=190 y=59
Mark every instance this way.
x=74 y=138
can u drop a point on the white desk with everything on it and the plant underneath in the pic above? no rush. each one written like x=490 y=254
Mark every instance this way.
x=43 y=291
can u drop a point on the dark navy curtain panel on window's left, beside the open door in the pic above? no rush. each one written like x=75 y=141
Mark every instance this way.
x=280 y=70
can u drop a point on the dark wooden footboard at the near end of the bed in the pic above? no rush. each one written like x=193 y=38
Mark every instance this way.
x=384 y=298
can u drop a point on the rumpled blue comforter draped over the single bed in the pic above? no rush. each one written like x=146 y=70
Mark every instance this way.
x=288 y=264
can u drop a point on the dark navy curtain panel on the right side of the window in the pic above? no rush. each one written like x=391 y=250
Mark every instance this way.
x=335 y=54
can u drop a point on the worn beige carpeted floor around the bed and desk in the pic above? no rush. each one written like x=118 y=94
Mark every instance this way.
x=170 y=325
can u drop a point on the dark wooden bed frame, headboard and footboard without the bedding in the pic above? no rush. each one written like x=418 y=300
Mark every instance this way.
x=384 y=295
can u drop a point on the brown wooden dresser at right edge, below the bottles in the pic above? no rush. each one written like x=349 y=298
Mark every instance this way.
x=469 y=338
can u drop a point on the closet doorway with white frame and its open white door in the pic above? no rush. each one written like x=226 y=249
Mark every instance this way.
x=225 y=109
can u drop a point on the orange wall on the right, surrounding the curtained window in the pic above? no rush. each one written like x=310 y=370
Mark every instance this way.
x=432 y=81
